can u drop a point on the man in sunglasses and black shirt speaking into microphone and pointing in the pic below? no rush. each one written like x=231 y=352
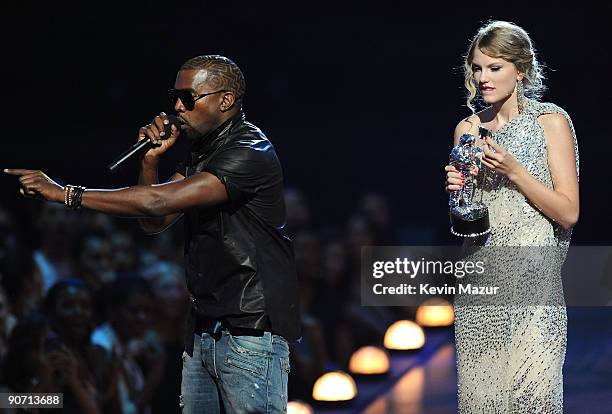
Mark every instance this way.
x=239 y=262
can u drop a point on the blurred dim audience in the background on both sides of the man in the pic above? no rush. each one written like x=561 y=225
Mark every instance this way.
x=95 y=309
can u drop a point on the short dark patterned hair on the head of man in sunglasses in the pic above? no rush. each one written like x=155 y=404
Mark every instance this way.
x=224 y=73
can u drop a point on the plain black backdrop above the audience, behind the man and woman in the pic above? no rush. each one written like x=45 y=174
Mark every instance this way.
x=353 y=100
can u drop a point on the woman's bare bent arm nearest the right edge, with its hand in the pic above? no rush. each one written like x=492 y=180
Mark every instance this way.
x=561 y=203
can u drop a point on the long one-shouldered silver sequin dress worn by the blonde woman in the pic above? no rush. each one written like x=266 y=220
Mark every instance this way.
x=510 y=358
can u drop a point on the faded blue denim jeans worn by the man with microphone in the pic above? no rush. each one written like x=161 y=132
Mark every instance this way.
x=242 y=374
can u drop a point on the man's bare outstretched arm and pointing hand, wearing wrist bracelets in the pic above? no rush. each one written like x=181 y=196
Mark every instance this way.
x=202 y=189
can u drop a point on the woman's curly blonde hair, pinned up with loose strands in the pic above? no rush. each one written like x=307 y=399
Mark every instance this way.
x=510 y=42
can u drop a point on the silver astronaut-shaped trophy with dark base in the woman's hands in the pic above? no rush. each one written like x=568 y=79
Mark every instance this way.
x=468 y=218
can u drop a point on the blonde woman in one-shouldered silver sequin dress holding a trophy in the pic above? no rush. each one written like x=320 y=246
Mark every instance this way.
x=510 y=357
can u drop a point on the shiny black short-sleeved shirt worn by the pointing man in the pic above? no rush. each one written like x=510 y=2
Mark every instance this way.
x=239 y=261
